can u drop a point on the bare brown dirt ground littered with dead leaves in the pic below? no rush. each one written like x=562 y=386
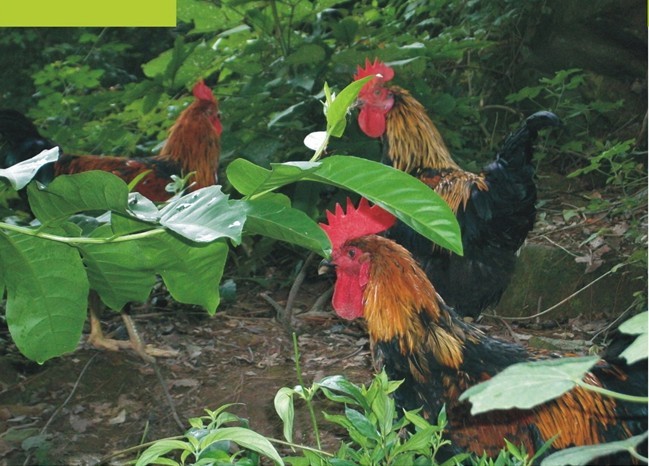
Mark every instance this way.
x=86 y=407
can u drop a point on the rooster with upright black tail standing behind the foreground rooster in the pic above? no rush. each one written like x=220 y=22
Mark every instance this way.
x=495 y=208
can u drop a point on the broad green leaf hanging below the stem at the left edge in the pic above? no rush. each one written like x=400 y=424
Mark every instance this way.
x=47 y=295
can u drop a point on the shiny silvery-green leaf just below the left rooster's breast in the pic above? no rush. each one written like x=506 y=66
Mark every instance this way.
x=204 y=215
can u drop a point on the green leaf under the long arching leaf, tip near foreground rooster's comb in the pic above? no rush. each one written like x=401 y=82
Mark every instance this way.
x=273 y=217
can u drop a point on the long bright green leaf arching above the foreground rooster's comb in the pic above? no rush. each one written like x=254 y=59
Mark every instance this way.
x=409 y=199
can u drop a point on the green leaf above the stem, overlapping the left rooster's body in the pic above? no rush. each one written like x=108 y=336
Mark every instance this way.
x=69 y=194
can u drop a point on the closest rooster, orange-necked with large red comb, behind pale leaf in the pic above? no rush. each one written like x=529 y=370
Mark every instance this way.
x=424 y=342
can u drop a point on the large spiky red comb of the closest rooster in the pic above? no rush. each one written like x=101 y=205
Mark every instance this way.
x=356 y=222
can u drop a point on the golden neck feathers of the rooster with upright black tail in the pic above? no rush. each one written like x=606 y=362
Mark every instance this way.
x=413 y=140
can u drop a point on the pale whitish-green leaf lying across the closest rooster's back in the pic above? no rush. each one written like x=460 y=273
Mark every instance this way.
x=526 y=385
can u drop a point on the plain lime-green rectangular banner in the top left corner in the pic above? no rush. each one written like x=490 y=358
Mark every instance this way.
x=76 y=13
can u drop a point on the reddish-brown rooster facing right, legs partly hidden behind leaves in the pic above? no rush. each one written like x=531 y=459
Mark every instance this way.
x=193 y=147
